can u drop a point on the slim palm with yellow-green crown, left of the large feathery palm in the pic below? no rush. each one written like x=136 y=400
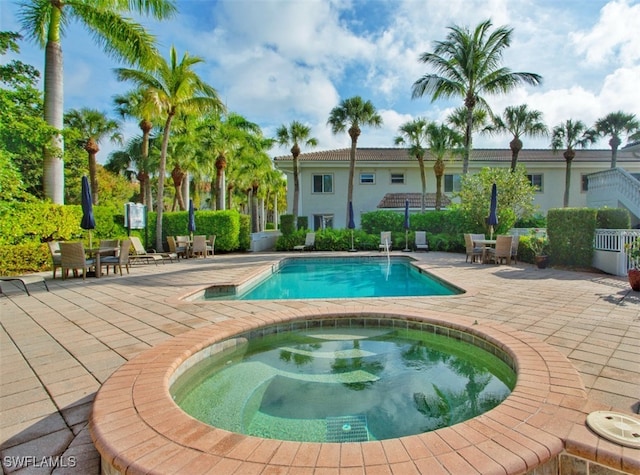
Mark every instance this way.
x=139 y=105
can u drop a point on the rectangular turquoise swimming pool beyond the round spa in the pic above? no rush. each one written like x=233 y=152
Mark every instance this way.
x=338 y=277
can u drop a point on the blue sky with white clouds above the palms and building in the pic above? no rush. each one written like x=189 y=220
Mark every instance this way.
x=275 y=61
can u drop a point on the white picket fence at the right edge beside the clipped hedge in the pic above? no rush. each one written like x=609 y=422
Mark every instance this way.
x=609 y=254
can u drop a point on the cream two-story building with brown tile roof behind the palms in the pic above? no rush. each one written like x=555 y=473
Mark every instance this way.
x=385 y=177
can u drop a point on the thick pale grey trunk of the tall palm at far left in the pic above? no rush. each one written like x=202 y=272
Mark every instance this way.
x=53 y=173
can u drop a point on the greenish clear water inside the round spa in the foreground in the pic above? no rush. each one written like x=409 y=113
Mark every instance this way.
x=344 y=384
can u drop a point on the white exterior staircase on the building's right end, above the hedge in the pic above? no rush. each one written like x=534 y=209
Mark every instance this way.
x=615 y=188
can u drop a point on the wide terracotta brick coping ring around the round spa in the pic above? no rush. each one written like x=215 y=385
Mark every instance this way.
x=137 y=428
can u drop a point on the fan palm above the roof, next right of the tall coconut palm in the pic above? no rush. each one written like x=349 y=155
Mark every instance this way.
x=519 y=121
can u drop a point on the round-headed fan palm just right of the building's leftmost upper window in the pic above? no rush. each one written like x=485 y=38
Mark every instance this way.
x=353 y=112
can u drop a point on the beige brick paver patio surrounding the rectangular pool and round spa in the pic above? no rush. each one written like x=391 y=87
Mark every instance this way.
x=58 y=347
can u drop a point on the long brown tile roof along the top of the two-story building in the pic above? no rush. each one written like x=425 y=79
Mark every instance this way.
x=493 y=155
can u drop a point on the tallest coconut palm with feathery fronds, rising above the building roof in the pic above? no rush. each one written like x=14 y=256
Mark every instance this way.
x=468 y=65
